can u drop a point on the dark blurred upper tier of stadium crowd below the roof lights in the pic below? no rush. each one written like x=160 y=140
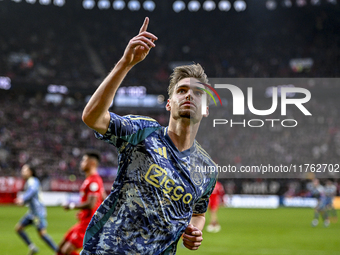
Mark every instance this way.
x=79 y=49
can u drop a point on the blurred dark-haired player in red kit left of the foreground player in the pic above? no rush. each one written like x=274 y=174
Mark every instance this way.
x=92 y=194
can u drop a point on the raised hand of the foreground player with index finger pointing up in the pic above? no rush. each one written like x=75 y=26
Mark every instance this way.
x=139 y=46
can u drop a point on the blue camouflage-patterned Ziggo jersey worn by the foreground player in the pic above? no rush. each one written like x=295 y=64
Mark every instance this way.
x=156 y=191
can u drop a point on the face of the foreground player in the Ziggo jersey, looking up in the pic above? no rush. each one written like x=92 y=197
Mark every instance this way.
x=186 y=100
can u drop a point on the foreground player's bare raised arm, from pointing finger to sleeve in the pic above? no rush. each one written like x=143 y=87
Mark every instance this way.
x=96 y=114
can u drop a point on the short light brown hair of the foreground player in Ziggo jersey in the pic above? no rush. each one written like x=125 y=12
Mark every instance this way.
x=187 y=71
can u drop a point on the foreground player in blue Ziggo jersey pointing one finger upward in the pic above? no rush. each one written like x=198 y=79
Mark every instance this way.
x=157 y=195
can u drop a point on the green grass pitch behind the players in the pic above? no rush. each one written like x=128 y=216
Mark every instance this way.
x=283 y=231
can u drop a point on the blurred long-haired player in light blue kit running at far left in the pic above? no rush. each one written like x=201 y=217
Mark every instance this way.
x=37 y=211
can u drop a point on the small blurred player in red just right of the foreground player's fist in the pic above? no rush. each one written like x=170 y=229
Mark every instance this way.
x=215 y=200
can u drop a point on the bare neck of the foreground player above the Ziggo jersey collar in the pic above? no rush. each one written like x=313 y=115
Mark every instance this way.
x=183 y=136
